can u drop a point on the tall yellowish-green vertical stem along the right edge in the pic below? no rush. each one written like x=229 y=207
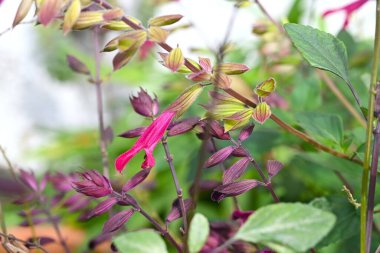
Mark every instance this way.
x=367 y=154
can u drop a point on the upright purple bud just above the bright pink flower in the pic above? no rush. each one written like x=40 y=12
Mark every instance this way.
x=144 y=105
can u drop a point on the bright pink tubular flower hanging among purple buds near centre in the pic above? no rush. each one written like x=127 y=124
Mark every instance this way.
x=147 y=142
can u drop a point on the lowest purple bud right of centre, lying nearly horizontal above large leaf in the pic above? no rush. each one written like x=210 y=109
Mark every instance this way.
x=233 y=189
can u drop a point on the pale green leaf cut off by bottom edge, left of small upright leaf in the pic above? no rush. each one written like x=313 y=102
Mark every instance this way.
x=140 y=242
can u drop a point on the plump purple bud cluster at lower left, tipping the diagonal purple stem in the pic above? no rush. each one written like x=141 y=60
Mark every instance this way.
x=94 y=184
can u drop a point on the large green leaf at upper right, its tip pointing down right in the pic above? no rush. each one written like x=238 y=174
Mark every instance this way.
x=322 y=50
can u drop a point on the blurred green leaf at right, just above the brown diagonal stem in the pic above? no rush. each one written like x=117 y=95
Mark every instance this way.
x=327 y=128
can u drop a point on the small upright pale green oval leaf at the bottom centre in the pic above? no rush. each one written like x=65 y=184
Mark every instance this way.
x=198 y=232
